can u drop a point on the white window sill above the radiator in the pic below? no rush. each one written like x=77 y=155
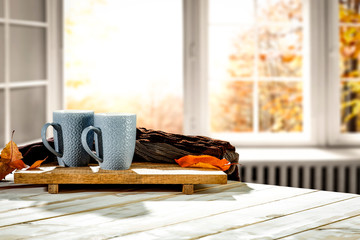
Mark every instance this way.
x=281 y=155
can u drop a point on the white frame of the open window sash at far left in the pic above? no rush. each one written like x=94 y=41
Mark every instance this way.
x=52 y=82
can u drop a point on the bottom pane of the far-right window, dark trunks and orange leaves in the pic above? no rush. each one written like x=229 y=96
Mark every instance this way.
x=350 y=106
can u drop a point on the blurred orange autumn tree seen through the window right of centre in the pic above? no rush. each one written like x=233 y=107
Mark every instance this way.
x=274 y=60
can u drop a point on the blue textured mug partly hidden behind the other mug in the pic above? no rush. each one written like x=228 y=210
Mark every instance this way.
x=68 y=126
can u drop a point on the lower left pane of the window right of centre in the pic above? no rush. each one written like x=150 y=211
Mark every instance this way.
x=231 y=106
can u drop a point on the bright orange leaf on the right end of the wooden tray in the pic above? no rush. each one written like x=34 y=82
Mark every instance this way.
x=203 y=161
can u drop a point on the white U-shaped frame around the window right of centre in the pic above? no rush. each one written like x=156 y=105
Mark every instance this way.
x=197 y=115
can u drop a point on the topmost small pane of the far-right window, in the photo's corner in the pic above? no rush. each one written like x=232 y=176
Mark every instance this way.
x=349 y=11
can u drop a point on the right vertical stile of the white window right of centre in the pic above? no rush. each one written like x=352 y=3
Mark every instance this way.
x=314 y=84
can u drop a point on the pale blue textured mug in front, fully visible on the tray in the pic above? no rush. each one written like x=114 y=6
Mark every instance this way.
x=115 y=137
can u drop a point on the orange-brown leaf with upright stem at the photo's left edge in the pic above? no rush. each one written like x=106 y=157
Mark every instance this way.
x=10 y=159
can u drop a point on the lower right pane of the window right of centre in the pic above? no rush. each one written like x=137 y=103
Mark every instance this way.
x=280 y=106
